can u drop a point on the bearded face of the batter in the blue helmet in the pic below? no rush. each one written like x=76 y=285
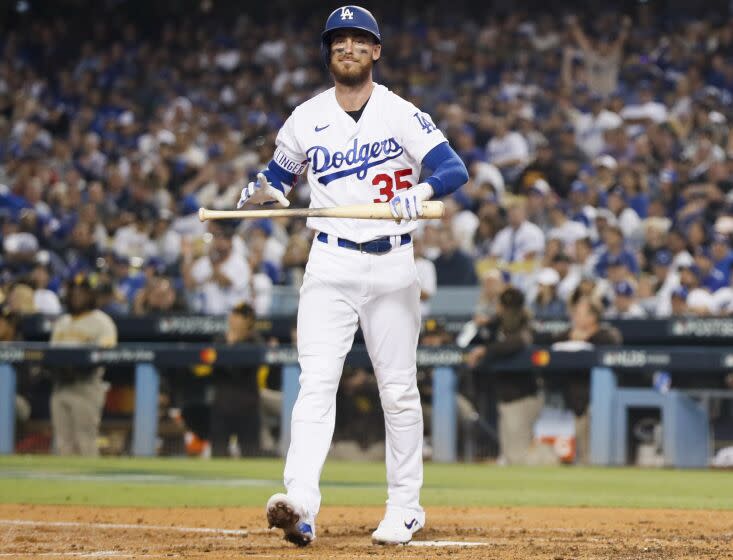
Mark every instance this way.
x=353 y=54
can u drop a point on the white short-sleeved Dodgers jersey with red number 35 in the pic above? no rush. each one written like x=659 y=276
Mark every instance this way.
x=357 y=162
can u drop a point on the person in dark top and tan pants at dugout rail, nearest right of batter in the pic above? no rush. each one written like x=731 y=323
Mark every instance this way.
x=519 y=403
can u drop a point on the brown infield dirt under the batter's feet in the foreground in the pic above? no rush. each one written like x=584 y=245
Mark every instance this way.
x=537 y=533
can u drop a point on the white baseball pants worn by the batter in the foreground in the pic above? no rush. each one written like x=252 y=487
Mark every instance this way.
x=341 y=289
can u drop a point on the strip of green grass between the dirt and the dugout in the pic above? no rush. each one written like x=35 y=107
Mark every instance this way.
x=184 y=482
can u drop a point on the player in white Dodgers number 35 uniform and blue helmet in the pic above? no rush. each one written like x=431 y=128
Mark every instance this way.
x=358 y=143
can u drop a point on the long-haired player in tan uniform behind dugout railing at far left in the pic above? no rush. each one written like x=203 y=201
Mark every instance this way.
x=78 y=393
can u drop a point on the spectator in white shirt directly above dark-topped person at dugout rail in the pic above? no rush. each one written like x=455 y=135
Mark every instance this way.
x=519 y=245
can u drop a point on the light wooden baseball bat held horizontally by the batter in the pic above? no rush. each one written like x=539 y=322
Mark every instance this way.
x=377 y=211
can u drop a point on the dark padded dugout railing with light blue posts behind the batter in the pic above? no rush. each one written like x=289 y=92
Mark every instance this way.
x=608 y=398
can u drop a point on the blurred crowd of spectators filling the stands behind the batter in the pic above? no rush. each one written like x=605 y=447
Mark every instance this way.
x=600 y=159
